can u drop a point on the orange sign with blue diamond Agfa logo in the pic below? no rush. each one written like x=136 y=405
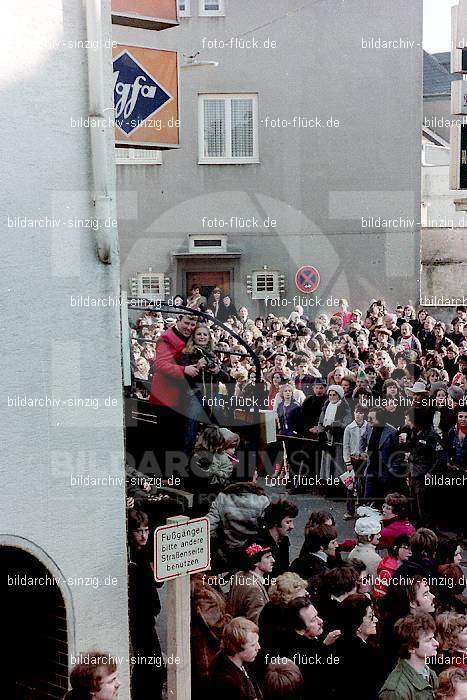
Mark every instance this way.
x=146 y=97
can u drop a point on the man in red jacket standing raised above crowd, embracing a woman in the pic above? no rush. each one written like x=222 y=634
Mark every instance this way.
x=168 y=387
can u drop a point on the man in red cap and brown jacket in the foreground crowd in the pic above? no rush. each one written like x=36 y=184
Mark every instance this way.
x=248 y=593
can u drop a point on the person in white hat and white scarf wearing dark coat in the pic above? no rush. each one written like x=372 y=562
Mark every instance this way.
x=334 y=418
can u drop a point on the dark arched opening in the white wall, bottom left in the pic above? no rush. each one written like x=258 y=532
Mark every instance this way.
x=36 y=665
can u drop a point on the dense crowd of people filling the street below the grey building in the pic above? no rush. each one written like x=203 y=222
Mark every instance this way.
x=369 y=408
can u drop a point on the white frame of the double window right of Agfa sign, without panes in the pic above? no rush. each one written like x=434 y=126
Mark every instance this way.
x=227 y=98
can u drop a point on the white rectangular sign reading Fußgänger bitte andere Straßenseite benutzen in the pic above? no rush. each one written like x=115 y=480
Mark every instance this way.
x=181 y=549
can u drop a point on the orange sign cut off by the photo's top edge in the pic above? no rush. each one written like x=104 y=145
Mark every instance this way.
x=148 y=14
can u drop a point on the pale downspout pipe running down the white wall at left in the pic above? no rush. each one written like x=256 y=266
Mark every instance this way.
x=98 y=128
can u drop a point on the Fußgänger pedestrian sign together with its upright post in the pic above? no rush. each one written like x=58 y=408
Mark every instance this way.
x=181 y=547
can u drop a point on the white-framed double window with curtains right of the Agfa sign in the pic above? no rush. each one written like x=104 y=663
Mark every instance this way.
x=228 y=129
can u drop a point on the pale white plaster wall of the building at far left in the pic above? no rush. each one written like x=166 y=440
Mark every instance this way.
x=50 y=348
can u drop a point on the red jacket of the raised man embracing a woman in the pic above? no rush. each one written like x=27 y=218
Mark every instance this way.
x=168 y=381
